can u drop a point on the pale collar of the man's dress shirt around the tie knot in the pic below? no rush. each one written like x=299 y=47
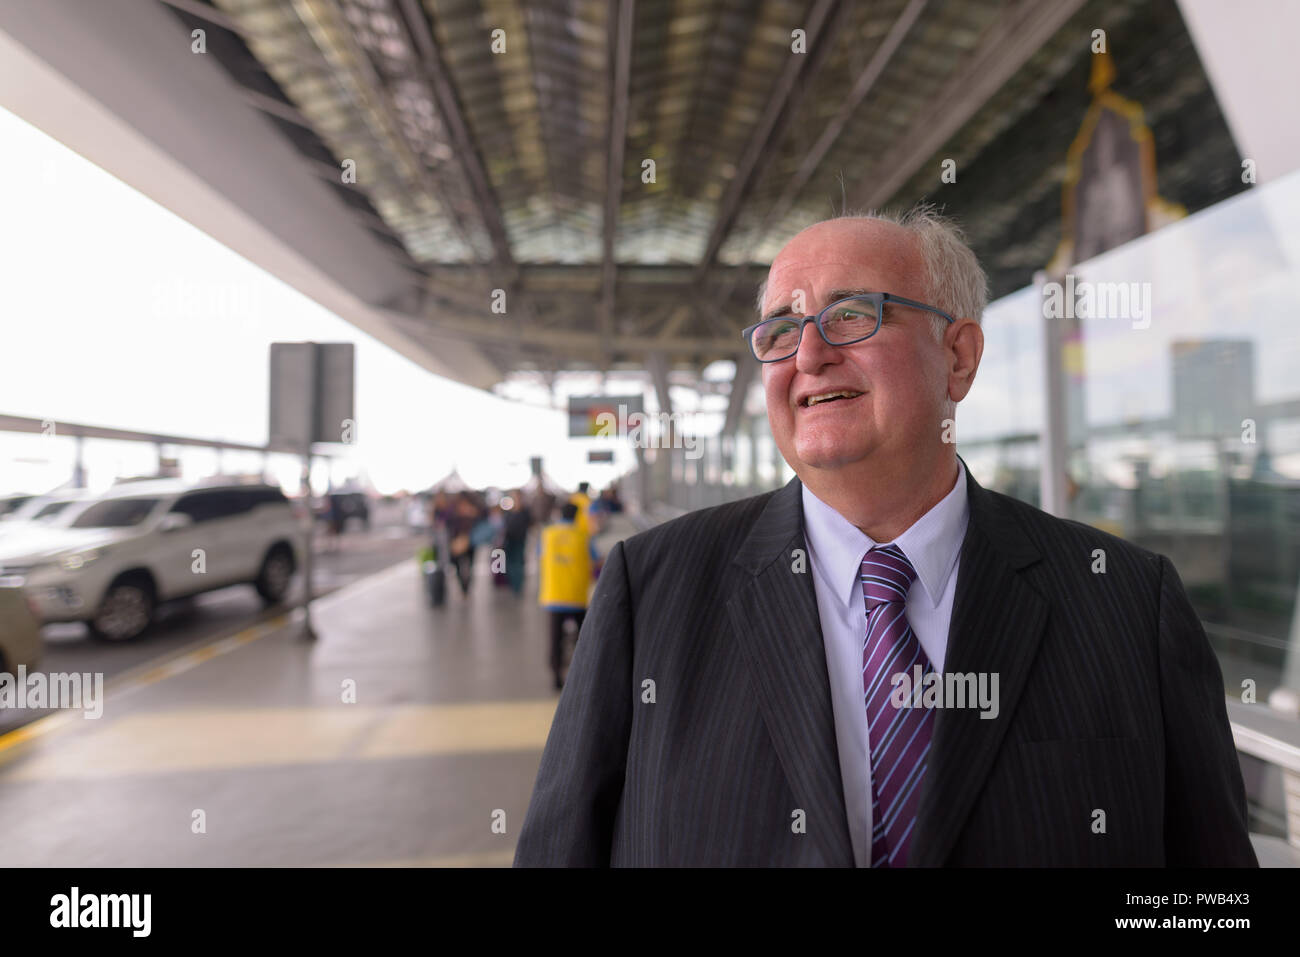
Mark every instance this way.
x=931 y=544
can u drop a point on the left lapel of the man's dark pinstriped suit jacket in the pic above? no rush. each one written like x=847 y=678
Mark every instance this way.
x=777 y=625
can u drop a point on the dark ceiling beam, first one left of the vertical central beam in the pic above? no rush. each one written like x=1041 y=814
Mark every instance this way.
x=435 y=72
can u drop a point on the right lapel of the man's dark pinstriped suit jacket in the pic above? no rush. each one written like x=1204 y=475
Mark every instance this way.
x=996 y=627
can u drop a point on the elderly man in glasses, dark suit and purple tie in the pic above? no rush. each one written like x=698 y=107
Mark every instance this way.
x=885 y=664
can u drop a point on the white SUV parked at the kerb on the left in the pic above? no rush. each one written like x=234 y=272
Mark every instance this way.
x=151 y=542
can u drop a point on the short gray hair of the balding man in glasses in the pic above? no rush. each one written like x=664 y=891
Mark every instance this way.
x=955 y=280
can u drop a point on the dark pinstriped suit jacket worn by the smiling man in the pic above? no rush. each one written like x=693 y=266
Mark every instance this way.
x=1111 y=700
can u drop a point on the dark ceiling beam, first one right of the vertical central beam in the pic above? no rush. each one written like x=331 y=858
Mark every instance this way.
x=786 y=97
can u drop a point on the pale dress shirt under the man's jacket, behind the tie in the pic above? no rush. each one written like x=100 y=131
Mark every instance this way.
x=837 y=549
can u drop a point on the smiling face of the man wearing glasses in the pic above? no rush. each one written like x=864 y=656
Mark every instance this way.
x=900 y=373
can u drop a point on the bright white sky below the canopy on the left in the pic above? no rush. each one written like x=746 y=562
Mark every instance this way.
x=116 y=313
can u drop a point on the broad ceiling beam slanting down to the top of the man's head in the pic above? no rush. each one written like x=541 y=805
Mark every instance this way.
x=1006 y=49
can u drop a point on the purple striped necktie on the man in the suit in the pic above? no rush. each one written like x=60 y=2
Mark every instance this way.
x=899 y=737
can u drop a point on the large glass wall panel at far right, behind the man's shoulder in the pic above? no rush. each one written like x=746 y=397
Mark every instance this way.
x=1189 y=441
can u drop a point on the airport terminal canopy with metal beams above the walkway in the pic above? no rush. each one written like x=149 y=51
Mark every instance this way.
x=496 y=187
